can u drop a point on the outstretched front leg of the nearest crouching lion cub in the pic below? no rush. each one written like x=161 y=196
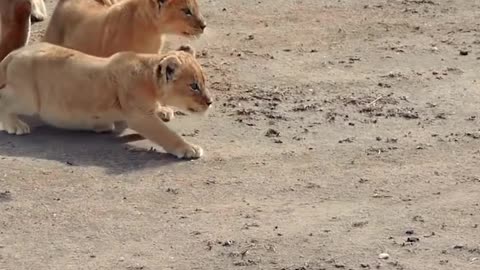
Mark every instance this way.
x=152 y=128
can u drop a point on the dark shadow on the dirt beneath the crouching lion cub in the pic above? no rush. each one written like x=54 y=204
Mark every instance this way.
x=81 y=148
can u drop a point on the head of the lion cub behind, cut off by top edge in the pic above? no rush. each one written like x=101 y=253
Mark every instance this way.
x=180 y=17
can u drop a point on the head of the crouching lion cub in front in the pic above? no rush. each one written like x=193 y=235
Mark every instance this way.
x=182 y=81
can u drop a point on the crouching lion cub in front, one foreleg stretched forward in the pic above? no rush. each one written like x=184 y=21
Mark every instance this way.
x=72 y=90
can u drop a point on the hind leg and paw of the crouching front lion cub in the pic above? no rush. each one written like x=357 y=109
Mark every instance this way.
x=9 y=120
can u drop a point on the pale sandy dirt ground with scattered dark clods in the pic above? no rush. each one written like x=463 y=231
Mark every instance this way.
x=341 y=130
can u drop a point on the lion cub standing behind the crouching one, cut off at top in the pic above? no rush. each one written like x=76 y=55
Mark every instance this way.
x=105 y=27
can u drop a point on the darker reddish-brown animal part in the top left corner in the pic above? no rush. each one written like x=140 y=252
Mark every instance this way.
x=14 y=25
